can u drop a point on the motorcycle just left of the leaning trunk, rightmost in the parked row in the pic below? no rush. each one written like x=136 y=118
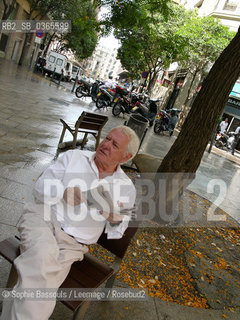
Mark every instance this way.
x=166 y=121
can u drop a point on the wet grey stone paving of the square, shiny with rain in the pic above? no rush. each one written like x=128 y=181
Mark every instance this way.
x=30 y=109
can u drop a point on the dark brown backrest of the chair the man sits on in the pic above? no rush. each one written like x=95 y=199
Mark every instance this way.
x=119 y=246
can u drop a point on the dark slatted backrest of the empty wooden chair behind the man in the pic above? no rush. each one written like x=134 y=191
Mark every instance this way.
x=91 y=121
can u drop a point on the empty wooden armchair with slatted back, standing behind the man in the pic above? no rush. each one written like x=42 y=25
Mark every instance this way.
x=87 y=123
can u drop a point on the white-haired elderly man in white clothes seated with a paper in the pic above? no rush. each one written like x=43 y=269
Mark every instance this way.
x=56 y=230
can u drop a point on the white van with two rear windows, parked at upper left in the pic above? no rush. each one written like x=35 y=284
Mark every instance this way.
x=58 y=62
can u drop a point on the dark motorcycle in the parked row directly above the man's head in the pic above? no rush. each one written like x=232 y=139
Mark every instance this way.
x=126 y=101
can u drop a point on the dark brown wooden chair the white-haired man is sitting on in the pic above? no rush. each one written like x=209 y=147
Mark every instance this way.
x=88 y=273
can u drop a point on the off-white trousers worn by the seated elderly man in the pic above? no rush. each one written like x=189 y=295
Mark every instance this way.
x=47 y=254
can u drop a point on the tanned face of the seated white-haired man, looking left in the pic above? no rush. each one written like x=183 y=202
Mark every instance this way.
x=112 y=149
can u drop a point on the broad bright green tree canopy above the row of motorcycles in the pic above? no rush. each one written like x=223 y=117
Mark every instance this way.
x=155 y=33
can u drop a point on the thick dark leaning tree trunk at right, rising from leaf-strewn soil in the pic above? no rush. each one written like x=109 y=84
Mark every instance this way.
x=184 y=157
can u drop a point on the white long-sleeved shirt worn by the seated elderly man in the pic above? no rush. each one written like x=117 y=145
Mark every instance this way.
x=78 y=167
